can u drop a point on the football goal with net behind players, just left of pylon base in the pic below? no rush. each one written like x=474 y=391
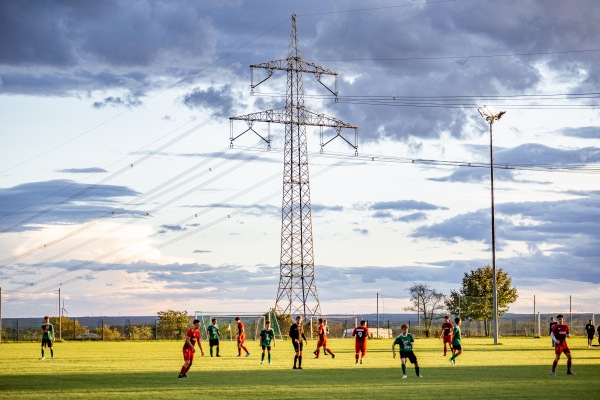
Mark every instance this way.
x=253 y=324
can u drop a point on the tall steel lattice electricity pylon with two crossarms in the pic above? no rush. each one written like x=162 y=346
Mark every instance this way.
x=297 y=293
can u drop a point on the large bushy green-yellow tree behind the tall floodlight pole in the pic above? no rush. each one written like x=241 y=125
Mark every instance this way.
x=474 y=300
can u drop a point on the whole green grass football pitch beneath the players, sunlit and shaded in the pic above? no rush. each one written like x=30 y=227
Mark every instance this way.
x=515 y=368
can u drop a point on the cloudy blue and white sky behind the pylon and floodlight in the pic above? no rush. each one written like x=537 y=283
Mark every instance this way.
x=120 y=186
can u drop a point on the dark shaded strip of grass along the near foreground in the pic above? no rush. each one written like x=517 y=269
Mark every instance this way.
x=333 y=383
